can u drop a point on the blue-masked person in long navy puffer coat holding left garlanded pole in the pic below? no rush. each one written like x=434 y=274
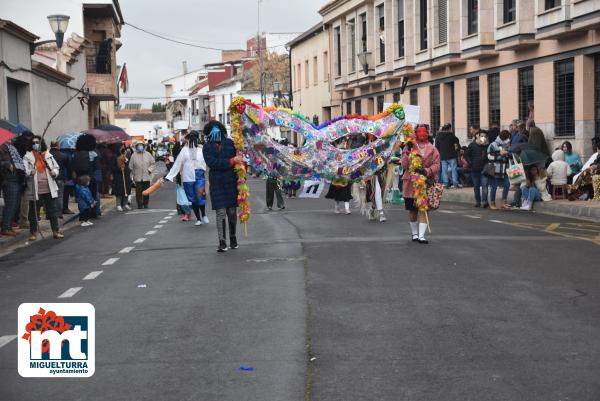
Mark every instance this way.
x=221 y=157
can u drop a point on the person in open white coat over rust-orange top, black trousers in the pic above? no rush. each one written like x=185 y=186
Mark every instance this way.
x=41 y=170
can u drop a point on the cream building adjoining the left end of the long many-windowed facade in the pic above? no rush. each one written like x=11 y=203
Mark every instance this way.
x=311 y=77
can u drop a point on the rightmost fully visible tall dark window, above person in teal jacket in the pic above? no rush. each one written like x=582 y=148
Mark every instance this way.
x=564 y=98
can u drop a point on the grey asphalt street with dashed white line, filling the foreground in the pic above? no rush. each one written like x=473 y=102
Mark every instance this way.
x=499 y=306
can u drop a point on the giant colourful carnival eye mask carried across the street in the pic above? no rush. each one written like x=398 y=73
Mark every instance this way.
x=318 y=157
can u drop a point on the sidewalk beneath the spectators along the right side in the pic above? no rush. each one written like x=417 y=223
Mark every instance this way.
x=583 y=210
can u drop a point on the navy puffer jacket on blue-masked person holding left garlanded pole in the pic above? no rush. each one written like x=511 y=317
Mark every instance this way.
x=221 y=176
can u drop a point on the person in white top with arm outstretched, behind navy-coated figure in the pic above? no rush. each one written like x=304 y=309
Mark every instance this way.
x=192 y=167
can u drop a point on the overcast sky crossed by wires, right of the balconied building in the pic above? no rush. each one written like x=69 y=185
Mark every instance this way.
x=214 y=23
